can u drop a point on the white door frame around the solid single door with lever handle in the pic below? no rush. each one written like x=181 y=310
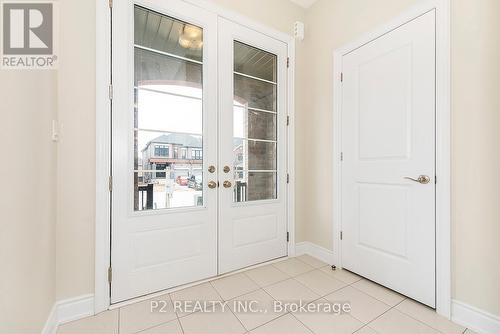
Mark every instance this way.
x=443 y=140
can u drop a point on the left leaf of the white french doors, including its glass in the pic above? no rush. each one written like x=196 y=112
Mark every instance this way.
x=164 y=138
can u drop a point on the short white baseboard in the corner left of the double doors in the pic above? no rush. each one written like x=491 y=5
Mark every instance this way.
x=68 y=310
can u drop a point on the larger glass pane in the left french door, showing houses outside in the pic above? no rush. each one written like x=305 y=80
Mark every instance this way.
x=168 y=112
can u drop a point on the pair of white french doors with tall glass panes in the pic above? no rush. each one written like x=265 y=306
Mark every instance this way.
x=189 y=99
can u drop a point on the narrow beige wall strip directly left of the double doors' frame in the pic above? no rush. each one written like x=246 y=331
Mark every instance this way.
x=76 y=150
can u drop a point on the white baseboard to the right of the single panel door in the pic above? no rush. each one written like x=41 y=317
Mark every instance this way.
x=475 y=319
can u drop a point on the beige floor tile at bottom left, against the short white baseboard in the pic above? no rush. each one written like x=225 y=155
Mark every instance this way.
x=103 y=323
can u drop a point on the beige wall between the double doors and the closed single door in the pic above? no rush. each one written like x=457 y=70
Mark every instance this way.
x=329 y=25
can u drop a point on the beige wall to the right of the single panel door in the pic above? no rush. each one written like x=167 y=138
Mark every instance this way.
x=476 y=152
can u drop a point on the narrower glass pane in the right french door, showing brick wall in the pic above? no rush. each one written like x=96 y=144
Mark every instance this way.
x=254 y=124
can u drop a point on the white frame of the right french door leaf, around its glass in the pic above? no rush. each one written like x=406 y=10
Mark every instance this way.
x=250 y=232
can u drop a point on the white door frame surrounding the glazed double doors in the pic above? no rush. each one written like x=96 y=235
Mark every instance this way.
x=103 y=81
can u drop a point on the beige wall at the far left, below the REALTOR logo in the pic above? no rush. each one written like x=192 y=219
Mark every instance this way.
x=27 y=200
